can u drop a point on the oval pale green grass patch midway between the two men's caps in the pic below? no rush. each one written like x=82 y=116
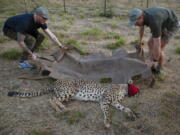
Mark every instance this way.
x=94 y=33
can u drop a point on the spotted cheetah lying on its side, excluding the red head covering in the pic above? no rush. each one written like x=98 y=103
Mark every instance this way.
x=105 y=94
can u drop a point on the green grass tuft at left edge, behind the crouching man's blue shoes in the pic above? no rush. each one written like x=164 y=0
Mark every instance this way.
x=11 y=54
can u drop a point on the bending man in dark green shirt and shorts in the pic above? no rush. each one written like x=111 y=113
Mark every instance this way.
x=163 y=24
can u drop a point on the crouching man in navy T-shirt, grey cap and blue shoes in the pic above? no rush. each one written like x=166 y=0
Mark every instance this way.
x=24 y=29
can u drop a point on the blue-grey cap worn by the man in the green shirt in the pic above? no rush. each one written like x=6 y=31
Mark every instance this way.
x=134 y=14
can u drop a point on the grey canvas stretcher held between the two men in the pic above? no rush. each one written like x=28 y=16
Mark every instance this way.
x=119 y=67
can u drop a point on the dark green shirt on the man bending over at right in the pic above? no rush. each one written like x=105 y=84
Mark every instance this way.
x=159 y=18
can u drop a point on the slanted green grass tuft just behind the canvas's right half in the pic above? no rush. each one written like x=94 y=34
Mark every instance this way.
x=119 y=43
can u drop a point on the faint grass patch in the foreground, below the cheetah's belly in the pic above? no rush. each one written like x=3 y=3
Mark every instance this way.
x=71 y=117
